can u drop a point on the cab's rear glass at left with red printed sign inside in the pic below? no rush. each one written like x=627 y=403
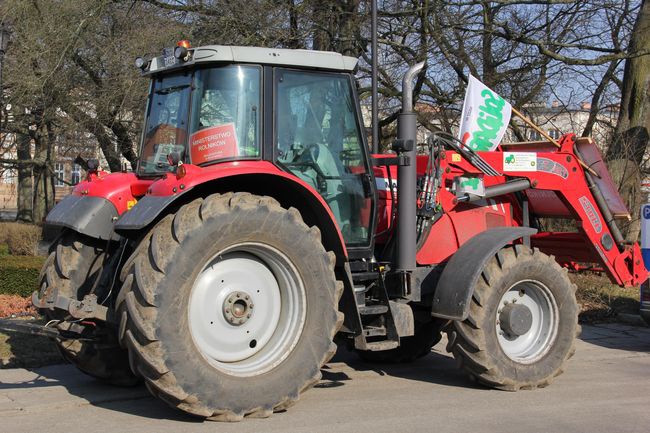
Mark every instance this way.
x=223 y=123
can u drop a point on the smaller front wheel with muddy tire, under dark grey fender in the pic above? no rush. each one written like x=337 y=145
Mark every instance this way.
x=522 y=324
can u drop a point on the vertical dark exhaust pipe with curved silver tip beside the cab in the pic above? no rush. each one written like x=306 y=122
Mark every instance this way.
x=406 y=178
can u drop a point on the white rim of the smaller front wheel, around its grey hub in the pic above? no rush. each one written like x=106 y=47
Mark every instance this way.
x=537 y=341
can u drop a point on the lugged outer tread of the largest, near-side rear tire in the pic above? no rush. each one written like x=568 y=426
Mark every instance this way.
x=147 y=356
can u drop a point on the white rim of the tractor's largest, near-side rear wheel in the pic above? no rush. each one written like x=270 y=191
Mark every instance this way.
x=258 y=335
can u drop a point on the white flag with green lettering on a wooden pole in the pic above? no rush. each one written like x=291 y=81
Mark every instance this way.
x=485 y=117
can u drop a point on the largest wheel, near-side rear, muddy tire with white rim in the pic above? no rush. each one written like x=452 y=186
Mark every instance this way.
x=231 y=307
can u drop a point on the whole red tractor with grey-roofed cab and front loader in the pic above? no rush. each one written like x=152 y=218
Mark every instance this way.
x=257 y=230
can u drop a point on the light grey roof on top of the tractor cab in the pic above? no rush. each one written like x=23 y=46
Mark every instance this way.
x=272 y=56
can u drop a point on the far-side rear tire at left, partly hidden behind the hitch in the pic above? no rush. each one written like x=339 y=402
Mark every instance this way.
x=74 y=267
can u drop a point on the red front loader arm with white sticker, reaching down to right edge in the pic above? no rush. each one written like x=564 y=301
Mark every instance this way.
x=559 y=188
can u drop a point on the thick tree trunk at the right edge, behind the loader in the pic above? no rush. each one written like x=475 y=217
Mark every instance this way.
x=632 y=130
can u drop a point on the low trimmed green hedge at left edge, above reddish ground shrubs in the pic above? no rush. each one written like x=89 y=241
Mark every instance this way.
x=19 y=274
